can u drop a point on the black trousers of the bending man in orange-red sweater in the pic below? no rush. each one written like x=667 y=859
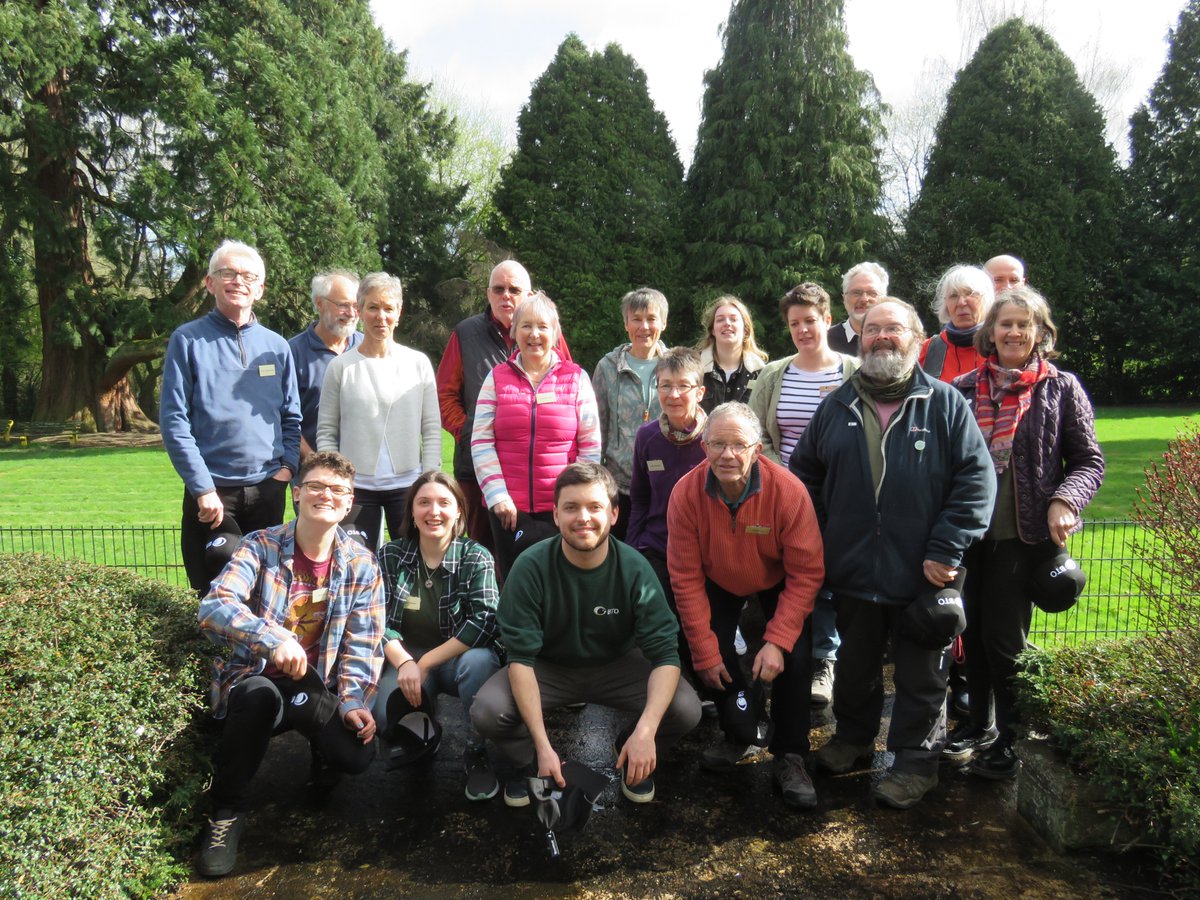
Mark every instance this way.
x=791 y=693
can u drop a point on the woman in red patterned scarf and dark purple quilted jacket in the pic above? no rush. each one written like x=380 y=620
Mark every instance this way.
x=1037 y=422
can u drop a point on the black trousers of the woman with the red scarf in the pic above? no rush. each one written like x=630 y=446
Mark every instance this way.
x=999 y=614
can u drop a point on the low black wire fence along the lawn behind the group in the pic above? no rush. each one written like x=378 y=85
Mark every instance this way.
x=1113 y=604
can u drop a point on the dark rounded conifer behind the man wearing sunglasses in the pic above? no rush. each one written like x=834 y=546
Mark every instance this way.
x=590 y=202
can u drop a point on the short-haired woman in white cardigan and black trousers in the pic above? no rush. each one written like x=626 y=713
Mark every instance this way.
x=380 y=409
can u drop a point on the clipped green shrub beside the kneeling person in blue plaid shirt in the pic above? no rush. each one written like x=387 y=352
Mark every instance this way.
x=101 y=677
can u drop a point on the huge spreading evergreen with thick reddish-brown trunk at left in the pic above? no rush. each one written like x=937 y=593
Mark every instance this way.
x=135 y=136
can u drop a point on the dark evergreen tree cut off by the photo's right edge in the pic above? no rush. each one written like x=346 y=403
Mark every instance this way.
x=1163 y=235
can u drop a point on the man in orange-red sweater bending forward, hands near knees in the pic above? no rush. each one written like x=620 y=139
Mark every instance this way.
x=736 y=527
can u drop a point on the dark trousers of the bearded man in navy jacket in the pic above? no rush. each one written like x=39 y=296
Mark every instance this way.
x=919 y=715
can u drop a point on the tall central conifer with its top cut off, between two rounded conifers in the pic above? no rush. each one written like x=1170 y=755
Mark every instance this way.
x=785 y=183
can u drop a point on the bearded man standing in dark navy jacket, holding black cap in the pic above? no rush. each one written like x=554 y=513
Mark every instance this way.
x=902 y=482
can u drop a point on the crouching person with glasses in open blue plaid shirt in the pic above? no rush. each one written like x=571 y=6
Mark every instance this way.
x=301 y=608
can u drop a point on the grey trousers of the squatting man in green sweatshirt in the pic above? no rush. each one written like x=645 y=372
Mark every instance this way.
x=620 y=685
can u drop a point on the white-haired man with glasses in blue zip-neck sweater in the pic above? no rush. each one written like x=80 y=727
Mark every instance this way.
x=230 y=411
